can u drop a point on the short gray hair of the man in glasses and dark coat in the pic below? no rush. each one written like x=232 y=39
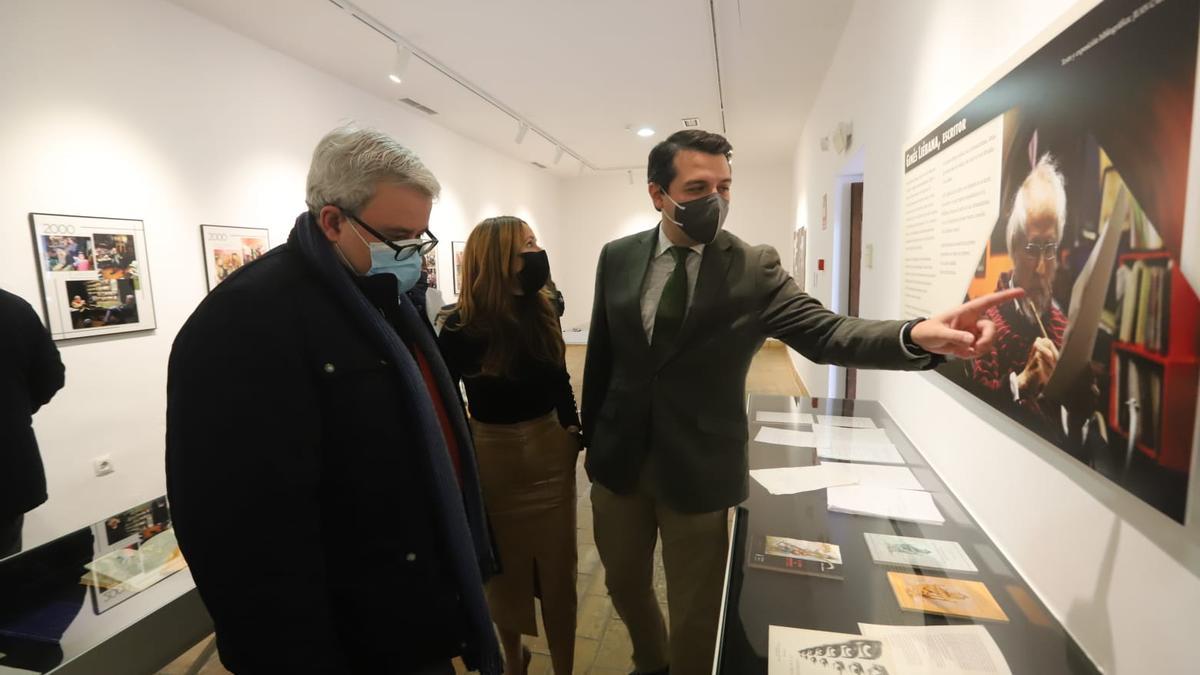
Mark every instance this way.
x=350 y=163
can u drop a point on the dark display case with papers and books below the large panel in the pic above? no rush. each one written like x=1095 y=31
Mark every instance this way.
x=817 y=561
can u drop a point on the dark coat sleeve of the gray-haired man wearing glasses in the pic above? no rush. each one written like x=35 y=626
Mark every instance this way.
x=244 y=477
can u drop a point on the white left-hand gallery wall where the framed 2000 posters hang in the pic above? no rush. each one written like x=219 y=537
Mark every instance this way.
x=140 y=110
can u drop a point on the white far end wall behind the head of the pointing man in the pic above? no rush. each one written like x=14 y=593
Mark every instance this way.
x=599 y=208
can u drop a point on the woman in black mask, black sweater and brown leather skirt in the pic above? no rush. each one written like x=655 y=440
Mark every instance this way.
x=505 y=343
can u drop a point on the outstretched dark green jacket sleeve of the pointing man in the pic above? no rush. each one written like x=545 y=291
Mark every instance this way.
x=803 y=324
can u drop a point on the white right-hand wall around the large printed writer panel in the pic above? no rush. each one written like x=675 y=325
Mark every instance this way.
x=1107 y=565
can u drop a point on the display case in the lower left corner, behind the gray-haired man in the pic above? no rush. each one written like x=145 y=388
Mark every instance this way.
x=115 y=598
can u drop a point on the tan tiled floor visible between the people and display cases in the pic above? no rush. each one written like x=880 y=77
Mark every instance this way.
x=602 y=646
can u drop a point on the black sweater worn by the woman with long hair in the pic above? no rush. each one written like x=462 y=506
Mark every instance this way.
x=538 y=389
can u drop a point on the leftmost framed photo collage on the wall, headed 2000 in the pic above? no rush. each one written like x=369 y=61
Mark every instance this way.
x=94 y=273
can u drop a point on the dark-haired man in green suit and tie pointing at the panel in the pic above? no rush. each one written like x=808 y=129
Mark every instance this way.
x=680 y=314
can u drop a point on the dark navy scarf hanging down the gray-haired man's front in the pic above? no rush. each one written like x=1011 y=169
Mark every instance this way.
x=459 y=511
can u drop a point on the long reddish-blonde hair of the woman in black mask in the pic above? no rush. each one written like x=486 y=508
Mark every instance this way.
x=513 y=326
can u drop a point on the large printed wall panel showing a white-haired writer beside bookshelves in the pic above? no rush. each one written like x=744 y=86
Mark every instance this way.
x=1069 y=178
